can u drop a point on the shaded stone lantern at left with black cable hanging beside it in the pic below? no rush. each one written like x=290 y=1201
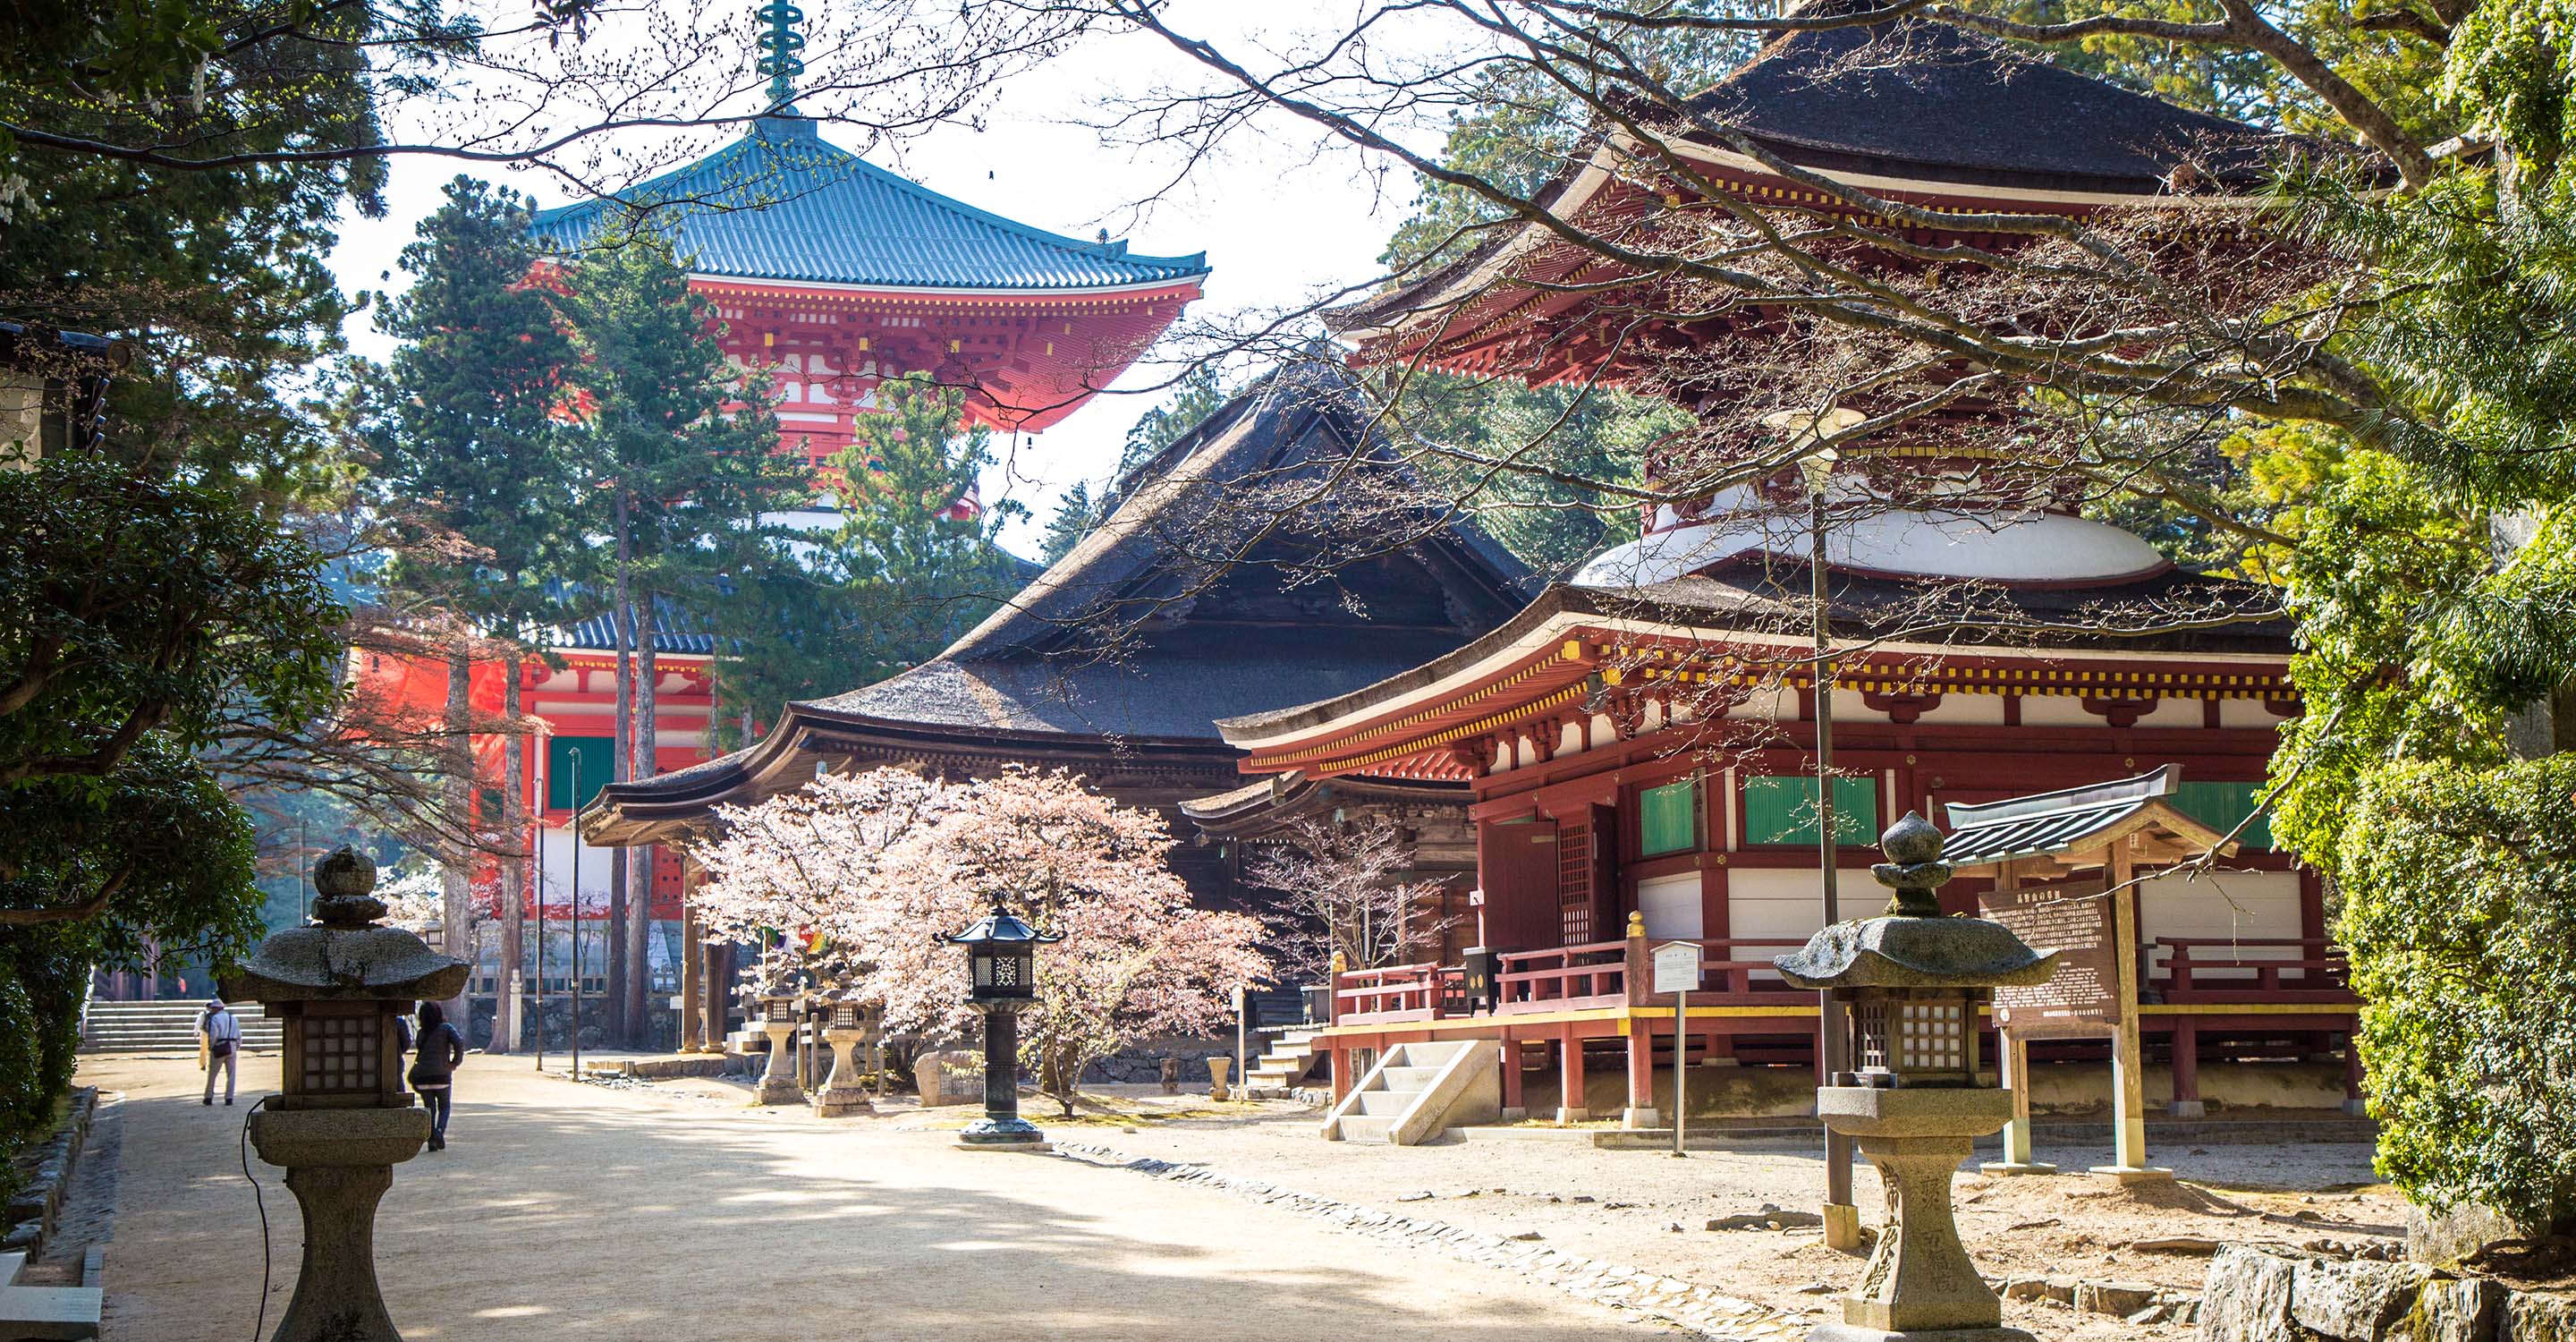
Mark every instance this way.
x=344 y=1117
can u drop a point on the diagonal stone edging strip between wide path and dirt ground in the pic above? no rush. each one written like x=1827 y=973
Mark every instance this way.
x=1627 y=1289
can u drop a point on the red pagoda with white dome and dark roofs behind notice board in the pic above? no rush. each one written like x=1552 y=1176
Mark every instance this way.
x=1642 y=738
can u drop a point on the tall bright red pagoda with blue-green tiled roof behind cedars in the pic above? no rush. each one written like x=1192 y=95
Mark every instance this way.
x=833 y=274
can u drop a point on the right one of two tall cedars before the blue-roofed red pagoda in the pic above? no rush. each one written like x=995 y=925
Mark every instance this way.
x=681 y=460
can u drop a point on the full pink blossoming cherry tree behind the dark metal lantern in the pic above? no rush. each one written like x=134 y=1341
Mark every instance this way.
x=851 y=877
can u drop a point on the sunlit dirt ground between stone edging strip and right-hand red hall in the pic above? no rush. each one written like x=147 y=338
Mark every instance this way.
x=1624 y=1207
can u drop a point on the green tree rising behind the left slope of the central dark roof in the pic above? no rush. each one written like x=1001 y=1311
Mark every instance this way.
x=905 y=573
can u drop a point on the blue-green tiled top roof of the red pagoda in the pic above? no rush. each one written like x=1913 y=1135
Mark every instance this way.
x=784 y=205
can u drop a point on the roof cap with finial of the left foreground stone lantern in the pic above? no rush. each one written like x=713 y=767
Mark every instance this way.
x=344 y=954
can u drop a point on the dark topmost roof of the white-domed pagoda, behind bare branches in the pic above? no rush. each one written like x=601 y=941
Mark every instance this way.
x=1923 y=99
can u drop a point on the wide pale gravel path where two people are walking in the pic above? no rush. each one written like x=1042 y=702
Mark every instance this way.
x=668 y=1217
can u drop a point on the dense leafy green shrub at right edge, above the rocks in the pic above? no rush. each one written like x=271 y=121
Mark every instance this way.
x=2461 y=916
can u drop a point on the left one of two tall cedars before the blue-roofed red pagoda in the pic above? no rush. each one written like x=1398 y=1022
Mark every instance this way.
x=483 y=486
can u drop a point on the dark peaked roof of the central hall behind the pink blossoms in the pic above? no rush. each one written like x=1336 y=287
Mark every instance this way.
x=1207 y=635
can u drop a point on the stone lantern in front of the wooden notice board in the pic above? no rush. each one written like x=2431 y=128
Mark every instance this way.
x=1915 y=1101
